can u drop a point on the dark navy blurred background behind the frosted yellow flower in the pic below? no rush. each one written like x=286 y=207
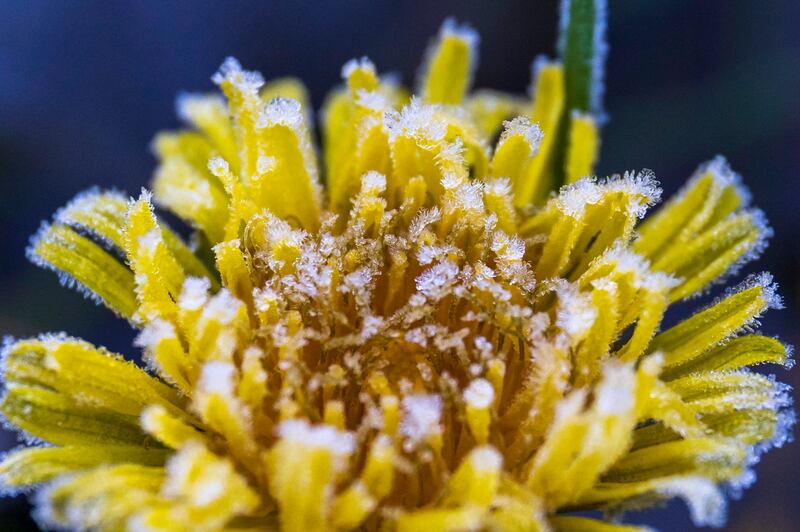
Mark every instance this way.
x=84 y=86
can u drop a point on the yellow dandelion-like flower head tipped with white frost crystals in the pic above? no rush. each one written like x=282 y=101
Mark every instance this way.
x=431 y=341
